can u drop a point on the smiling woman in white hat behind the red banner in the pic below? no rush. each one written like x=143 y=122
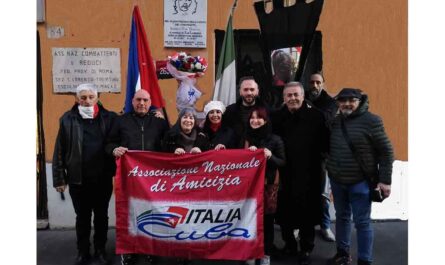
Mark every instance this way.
x=220 y=137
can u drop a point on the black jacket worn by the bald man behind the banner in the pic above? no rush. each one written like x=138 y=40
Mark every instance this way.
x=137 y=133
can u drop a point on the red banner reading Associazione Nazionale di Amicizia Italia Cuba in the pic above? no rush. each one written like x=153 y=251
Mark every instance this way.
x=200 y=206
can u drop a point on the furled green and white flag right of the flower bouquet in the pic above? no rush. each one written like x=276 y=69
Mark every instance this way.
x=225 y=85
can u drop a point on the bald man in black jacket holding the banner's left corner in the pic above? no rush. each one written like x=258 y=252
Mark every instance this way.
x=137 y=130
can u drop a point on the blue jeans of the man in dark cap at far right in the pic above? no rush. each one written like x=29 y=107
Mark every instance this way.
x=353 y=200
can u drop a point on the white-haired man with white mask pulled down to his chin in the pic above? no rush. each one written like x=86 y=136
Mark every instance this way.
x=80 y=162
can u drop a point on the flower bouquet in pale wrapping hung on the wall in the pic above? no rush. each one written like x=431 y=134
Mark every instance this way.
x=185 y=69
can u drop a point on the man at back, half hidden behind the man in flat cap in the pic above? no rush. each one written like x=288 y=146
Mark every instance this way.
x=320 y=99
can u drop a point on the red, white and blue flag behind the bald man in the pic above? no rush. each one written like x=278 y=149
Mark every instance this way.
x=141 y=73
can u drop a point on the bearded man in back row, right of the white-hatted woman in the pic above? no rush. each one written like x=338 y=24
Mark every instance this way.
x=237 y=114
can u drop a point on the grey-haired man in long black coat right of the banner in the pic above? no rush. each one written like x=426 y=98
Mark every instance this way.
x=305 y=136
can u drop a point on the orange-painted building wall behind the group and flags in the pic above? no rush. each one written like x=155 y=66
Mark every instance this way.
x=364 y=46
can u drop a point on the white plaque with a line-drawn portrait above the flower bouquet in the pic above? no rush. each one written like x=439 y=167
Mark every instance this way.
x=185 y=23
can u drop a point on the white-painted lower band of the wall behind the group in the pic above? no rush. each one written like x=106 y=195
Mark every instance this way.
x=61 y=213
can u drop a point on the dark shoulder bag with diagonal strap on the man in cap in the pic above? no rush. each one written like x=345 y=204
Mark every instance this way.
x=376 y=195
